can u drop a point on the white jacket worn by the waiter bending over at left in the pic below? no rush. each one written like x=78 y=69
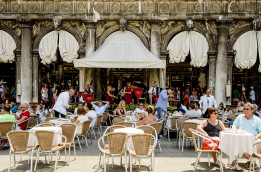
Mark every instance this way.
x=62 y=103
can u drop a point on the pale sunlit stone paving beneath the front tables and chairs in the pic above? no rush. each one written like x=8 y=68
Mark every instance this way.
x=171 y=159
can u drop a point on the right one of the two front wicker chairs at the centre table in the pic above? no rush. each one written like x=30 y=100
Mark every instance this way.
x=142 y=148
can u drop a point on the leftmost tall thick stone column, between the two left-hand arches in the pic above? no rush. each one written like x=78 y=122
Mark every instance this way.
x=26 y=62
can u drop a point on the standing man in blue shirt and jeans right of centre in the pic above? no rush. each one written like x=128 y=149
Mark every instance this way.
x=161 y=105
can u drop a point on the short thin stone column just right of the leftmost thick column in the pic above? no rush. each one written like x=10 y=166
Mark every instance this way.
x=35 y=78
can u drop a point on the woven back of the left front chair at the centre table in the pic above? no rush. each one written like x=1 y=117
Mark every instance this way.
x=116 y=142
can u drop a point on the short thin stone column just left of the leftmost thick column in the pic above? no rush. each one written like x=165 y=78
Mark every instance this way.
x=18 y=77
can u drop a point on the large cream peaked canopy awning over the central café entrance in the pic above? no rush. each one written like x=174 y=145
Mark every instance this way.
x=122 y=49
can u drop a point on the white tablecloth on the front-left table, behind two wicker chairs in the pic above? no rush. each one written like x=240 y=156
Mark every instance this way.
x=57 y=139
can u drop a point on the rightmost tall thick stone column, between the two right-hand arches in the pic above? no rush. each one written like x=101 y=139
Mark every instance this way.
x=221 y=64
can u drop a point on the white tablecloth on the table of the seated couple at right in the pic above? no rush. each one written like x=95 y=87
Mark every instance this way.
x=234 y=143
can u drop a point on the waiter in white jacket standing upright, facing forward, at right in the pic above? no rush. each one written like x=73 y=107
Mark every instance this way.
x=207 y=101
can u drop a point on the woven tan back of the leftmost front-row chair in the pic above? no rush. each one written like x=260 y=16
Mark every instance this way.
x=18 y=140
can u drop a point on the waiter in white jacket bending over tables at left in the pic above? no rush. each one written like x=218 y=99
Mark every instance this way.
x=62 y=103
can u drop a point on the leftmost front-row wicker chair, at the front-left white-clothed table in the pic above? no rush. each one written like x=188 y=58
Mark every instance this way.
x=19 y=141
